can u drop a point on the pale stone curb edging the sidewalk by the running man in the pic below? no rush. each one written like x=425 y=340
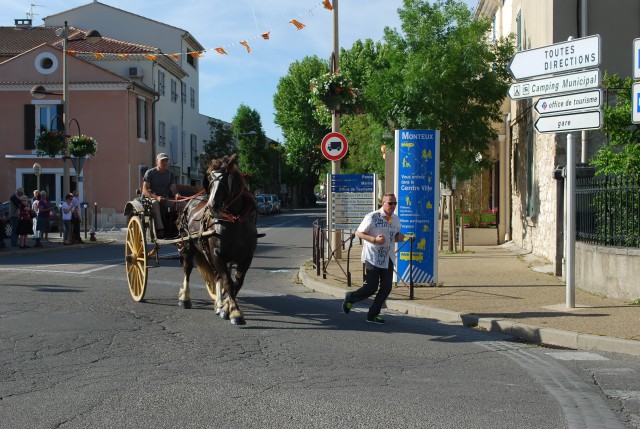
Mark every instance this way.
x=529 y=333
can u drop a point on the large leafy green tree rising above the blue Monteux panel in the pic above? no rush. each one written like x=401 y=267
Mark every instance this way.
x=444 y=74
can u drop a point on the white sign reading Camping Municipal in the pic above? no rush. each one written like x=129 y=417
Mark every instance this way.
x=555 y=85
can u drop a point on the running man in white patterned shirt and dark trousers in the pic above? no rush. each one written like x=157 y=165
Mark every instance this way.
x=379 y=231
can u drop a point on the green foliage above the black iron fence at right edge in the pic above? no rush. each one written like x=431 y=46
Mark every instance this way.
x=621 y=157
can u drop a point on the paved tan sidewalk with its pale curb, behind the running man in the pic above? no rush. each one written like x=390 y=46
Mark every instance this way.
x=502 y=289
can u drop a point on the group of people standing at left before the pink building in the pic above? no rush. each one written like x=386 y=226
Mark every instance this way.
x=31 y=217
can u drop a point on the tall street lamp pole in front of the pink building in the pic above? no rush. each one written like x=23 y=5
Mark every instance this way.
x=40 y=91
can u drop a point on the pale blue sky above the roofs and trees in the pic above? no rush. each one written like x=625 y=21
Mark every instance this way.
x=227 y=81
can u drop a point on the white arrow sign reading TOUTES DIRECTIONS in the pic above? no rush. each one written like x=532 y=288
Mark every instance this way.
x=558 y=58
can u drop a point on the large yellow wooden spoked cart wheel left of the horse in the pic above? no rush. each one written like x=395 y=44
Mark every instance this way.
x=136 y=259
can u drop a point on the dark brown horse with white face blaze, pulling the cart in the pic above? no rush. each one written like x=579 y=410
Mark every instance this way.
x=222 y=232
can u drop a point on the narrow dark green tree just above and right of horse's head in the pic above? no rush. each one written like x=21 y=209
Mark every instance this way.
x=252 y=148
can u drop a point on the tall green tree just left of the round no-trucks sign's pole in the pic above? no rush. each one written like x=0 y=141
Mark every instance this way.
x=301 y=131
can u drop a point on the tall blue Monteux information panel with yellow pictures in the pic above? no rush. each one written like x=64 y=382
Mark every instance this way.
x=417 y=181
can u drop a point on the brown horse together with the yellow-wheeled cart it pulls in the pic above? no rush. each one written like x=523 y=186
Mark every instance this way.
x=216 y=232
